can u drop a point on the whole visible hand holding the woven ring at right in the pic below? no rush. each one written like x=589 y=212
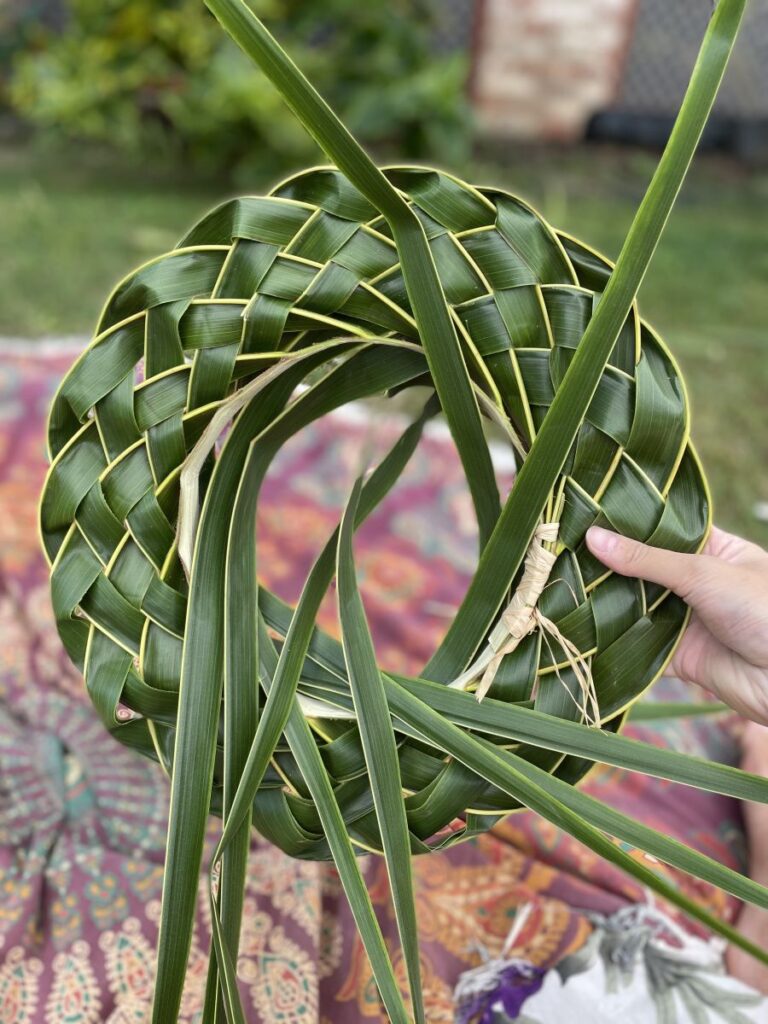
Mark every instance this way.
x=726 y=647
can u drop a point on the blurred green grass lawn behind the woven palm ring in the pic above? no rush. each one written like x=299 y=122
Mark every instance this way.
x=70 y=230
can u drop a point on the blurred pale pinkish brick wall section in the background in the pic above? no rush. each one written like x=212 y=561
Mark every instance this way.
x=543 y=67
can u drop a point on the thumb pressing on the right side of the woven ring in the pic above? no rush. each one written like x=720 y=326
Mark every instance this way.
x=672 y=570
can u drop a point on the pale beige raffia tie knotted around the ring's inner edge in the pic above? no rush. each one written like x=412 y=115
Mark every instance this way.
x=522 y=617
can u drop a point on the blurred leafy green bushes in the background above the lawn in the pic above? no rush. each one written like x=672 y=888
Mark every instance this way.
x=163 y=80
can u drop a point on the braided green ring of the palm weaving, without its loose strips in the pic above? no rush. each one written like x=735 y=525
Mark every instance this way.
x=312 y=264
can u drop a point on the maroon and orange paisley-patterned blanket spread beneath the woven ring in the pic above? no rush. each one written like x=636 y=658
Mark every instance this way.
x=82 y=819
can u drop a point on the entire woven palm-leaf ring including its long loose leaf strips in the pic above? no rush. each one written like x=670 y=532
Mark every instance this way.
x=355 y=283
